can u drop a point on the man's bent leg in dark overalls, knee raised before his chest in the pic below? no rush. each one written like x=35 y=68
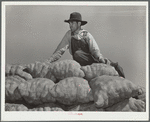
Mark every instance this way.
x=83 y=58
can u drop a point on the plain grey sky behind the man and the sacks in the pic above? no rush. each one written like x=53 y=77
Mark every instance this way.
x=34 y=31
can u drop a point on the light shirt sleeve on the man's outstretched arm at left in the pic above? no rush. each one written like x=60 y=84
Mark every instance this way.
x=64 y=41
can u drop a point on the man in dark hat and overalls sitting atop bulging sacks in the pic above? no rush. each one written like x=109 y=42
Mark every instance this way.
x=82 y=45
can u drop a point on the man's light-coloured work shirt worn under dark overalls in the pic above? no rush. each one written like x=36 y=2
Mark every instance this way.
x=82 y=34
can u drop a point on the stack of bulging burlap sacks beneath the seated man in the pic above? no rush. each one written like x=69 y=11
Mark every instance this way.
x=67 y=86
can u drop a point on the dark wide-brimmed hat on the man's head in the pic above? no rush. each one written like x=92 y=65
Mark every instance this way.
x=75 y=16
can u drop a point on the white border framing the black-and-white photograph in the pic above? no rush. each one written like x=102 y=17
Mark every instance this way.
x=53 y=116
